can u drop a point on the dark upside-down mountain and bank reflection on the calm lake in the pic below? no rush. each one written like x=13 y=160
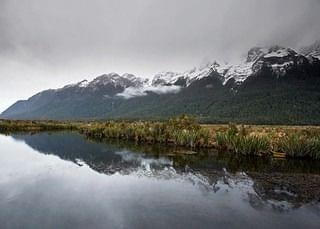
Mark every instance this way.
x=283 y=180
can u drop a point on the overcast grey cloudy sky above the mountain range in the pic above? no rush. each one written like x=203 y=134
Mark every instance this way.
x=50 y=43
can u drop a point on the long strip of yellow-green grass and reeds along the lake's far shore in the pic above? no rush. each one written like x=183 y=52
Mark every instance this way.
x=276 y=141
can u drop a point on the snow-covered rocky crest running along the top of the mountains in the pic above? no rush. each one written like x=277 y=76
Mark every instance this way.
x=278 y=59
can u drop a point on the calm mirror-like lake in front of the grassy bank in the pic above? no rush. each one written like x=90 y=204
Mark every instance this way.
x=62 y=180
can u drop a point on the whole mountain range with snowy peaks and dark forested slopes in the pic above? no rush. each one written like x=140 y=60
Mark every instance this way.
x=274 y=85
